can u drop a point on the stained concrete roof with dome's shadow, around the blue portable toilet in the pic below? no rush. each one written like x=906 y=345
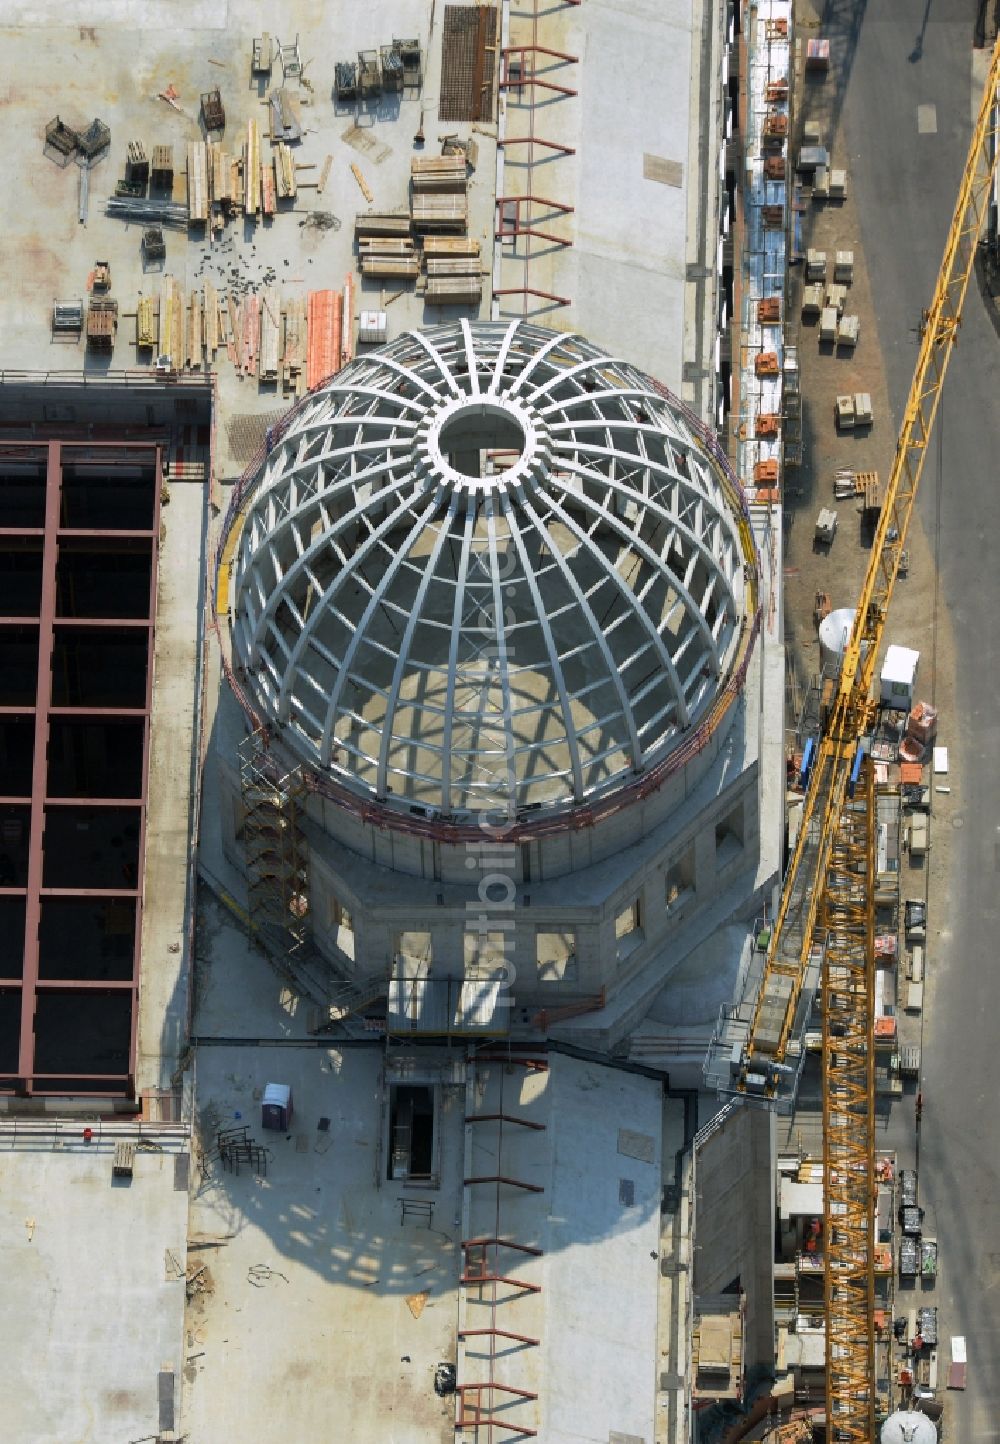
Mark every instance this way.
x=328 y=1316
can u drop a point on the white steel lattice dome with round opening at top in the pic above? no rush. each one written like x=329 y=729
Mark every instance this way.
x=488 y=552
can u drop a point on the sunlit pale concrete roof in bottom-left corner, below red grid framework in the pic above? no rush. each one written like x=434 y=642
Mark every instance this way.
x=92 y=1309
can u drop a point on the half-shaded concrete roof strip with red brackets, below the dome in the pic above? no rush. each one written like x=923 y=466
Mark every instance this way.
x=597 y=1222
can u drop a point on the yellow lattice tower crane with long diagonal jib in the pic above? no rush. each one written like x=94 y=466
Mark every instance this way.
x=826 y=918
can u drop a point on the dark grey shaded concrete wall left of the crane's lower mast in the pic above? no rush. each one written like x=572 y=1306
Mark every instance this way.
x=735 y=1218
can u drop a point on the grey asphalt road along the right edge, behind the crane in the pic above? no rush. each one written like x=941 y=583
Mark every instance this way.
x=905 y=165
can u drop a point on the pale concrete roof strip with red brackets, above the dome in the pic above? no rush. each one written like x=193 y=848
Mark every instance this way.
x=639 y=180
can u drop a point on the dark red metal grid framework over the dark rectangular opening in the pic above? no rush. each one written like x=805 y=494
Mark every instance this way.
x=79 y=570
